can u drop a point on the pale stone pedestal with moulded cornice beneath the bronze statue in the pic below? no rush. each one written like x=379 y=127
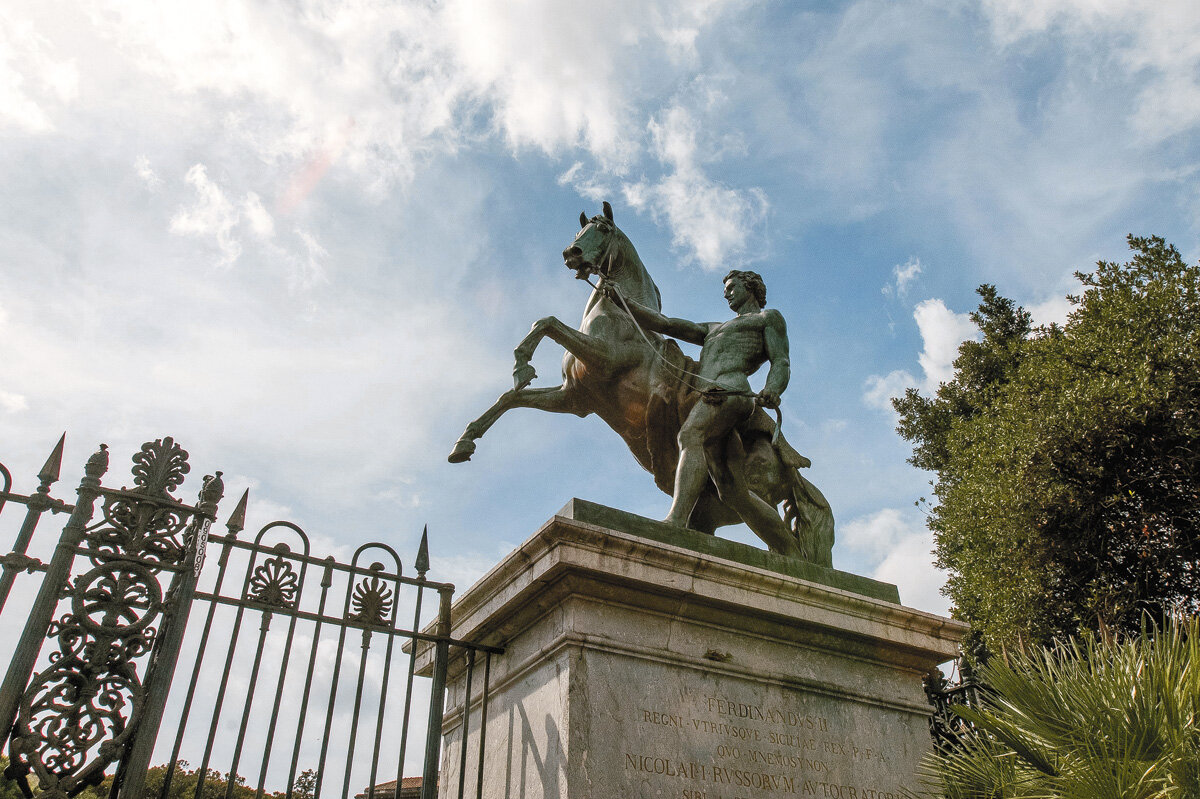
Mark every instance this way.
x=649 y=662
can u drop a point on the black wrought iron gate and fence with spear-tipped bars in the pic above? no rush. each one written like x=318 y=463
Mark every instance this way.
x=139 y=650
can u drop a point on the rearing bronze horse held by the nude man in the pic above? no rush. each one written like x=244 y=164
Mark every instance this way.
x=644 y=387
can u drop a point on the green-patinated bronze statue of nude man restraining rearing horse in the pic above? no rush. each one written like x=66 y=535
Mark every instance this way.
x=697 y=428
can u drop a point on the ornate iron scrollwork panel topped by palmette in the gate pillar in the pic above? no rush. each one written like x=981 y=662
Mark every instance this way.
x=81 y=713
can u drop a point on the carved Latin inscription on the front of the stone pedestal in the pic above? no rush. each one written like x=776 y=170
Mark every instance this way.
x=718 y=747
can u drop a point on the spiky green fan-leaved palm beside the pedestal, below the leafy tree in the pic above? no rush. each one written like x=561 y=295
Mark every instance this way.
x=1083 y=720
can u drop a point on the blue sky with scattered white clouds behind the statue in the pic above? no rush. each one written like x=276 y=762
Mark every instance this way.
x=304 y=238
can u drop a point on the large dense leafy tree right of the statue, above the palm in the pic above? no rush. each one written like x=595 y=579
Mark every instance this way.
x=1066 y=458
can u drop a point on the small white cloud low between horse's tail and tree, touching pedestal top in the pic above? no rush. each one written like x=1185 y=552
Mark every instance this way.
x=902 y=549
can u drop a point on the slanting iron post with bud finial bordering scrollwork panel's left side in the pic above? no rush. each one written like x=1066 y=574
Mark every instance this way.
x=29 y=647
